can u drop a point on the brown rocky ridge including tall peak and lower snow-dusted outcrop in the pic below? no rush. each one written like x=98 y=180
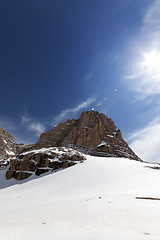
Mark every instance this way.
x=65 y=145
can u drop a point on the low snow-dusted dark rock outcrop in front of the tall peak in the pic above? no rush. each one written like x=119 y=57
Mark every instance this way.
x=42 y=161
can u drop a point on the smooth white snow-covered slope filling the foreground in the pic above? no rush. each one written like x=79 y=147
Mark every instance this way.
x=94 y=200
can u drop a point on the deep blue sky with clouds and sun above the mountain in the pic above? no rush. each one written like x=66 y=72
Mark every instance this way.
x=61 y=57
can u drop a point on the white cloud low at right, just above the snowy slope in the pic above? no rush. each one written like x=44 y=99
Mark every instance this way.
x=146 y=142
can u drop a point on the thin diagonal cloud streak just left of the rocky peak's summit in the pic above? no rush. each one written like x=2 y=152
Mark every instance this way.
x=70 y=112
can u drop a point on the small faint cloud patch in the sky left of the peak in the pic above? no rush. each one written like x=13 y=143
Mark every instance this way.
x=32 y=125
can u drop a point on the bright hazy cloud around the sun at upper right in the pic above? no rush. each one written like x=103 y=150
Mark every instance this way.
x=145 y=76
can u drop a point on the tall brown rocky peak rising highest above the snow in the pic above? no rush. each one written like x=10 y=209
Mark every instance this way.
x=93 y=133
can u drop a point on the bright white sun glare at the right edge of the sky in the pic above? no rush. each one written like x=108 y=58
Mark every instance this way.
x=151 y=61
